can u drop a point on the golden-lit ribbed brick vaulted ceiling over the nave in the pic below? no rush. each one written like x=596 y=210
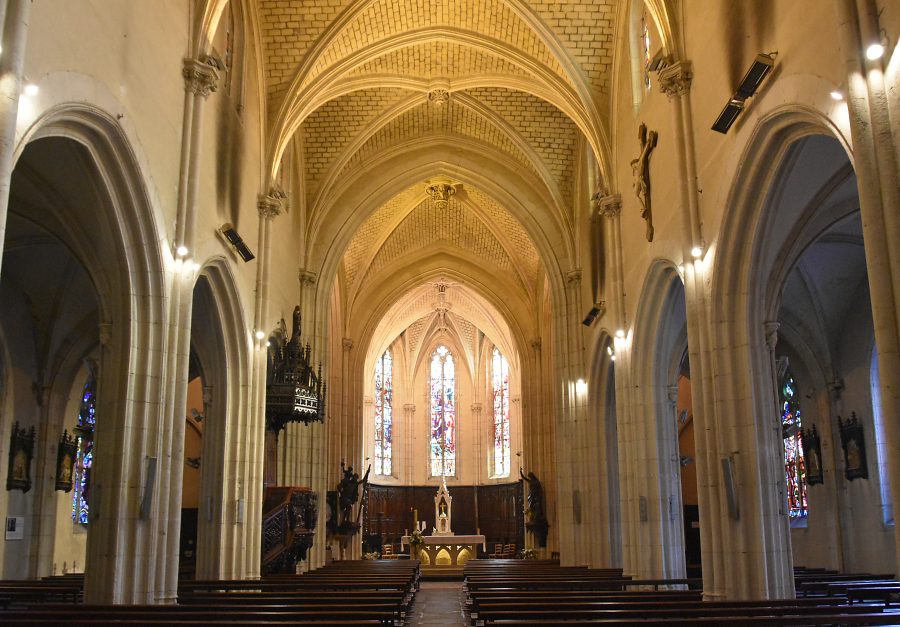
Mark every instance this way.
x=354 y=84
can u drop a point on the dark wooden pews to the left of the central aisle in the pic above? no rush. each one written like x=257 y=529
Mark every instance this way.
x=345 y=593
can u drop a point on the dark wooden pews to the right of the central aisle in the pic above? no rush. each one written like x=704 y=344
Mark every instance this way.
x=520 y=592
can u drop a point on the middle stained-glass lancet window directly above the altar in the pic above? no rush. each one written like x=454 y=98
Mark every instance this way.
x=443 y=413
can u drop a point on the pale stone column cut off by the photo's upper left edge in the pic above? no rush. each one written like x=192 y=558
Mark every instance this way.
x=15 y=34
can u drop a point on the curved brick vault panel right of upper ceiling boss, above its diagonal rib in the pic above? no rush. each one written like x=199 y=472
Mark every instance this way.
x=548 y=130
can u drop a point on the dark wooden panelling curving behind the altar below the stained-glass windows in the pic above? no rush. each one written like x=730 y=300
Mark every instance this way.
x=500 y=511
